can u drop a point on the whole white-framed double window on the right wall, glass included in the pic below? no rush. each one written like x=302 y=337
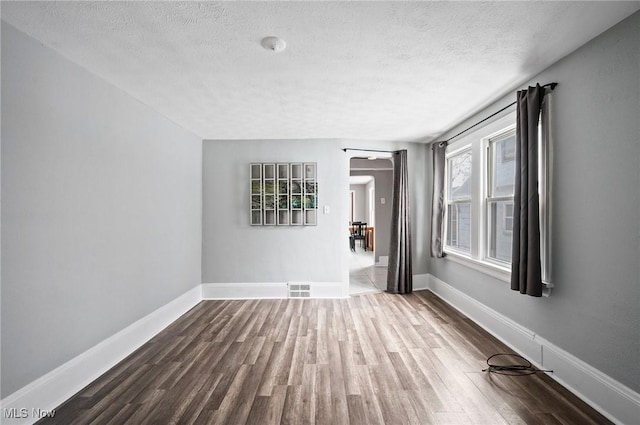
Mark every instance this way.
x=479 y=188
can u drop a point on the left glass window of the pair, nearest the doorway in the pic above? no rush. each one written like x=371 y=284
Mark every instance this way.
x=459 y=201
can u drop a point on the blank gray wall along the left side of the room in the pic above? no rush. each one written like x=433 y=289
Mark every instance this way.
x=101 y=211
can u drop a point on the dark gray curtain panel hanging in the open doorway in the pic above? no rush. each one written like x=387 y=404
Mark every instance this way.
x=400 y=274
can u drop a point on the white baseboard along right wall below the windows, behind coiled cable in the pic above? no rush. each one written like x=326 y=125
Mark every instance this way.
x=611 y=398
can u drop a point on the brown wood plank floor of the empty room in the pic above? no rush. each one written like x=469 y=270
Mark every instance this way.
x=371 y=359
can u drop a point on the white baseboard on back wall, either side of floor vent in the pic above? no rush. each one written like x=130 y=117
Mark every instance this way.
x=270 y=290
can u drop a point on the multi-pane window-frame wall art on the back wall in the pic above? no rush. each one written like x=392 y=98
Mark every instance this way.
x=283 y=194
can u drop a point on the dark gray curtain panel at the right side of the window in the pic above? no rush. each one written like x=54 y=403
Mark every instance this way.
x=526 y=274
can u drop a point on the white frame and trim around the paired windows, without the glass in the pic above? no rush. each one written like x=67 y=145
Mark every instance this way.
x=478 y=141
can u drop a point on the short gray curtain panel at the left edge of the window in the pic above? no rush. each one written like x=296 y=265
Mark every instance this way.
x=437 y=203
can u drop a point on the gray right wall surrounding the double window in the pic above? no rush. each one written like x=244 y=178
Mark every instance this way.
x=594 y=311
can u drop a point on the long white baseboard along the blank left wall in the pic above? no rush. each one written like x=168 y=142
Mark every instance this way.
x=49 y=391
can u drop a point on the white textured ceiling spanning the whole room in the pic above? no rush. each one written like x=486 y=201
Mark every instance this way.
x=356 y=70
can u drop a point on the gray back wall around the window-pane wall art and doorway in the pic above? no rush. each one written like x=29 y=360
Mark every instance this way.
x=235 y=252
